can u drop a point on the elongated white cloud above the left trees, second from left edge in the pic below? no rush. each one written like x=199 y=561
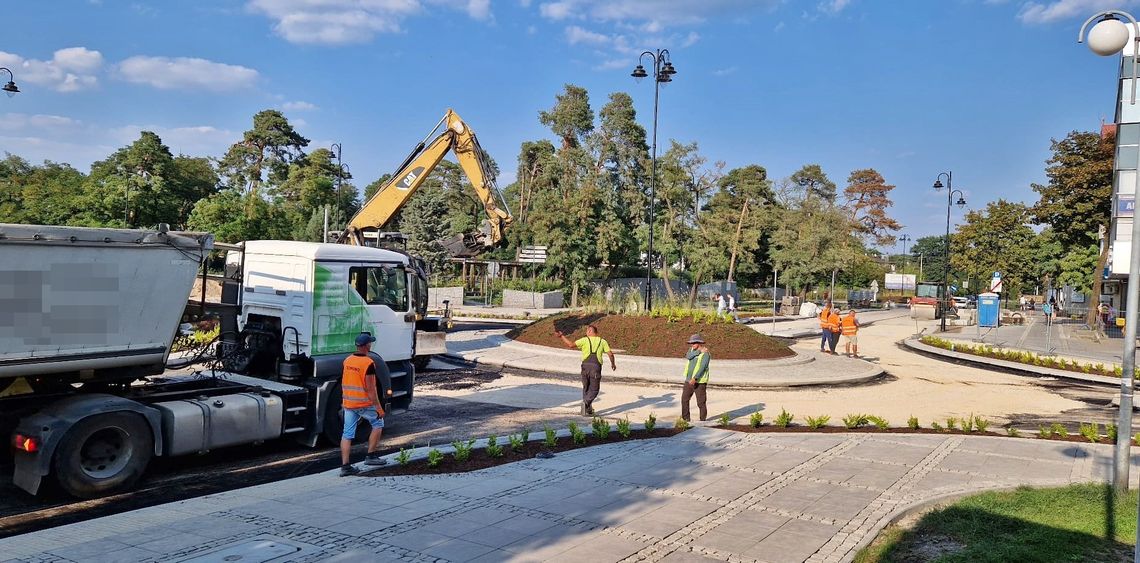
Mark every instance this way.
x=186 y=74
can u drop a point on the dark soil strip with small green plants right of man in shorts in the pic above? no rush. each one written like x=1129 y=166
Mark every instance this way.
x=481 y=460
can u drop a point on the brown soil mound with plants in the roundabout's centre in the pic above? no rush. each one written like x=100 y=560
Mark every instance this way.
x=655 y=337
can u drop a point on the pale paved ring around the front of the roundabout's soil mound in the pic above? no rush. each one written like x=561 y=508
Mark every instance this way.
x=492 y=348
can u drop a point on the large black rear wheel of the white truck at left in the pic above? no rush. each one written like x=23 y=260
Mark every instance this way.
x=103 y=454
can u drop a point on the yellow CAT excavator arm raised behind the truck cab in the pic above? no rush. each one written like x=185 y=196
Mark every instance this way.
x=459 y=138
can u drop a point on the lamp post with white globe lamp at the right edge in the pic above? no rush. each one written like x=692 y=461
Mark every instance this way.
x=1110 y=37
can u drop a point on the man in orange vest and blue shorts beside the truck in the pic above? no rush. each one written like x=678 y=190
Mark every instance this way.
x=362 y=403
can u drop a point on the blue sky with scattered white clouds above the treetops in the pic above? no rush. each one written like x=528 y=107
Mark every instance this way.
x=910 y=88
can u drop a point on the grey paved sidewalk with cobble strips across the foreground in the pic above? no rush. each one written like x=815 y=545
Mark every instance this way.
x=705 y=495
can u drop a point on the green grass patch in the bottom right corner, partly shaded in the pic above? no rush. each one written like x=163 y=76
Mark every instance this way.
x=1081 y=523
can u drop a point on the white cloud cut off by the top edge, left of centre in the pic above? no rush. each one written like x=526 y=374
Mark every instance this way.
x=341 y=22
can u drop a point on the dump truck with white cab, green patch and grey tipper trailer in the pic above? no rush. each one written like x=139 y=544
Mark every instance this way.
x=88 y=319
